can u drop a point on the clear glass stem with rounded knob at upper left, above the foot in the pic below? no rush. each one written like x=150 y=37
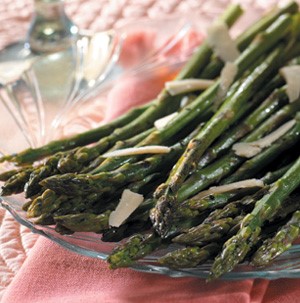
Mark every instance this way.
x=51 y=30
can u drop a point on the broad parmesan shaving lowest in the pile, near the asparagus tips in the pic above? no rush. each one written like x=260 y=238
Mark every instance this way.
x=129 y=202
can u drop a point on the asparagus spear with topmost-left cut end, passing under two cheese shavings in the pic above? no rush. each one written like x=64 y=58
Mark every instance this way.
x=164 y=104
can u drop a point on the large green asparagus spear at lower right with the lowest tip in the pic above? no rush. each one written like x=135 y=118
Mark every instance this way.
x=236 y=248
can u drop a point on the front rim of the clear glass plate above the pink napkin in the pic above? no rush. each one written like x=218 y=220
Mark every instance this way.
x=141 y=265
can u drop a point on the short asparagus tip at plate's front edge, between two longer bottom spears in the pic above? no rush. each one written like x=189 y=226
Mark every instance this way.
x=190 y=256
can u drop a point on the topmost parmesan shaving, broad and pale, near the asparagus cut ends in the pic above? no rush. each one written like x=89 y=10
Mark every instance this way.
x=219 y=39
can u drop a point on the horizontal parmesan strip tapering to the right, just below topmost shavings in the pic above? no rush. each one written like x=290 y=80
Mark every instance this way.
x=177 y=87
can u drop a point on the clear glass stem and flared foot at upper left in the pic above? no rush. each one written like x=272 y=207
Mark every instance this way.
x=53 y=66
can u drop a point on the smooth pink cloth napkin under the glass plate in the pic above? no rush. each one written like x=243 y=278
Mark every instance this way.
x=53 y=274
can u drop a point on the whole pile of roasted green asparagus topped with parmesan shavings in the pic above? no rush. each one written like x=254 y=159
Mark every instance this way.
x=223 y=182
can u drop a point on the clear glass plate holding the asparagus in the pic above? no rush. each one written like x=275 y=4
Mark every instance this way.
x=80 y=116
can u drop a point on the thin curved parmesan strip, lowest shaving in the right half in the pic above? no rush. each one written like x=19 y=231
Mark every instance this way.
x=249 y=183
